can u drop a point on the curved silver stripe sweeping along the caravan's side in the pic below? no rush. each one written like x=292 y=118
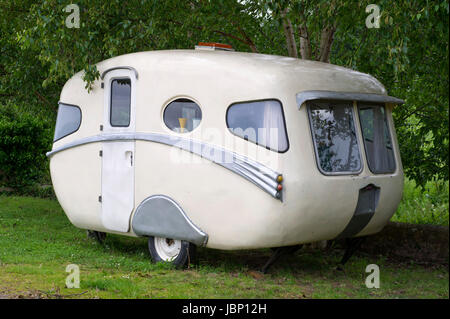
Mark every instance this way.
x=257 y=173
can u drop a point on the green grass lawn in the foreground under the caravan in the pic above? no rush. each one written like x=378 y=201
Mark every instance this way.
x=37 y=242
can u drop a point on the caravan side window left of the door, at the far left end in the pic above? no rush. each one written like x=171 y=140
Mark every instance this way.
x=68 y=120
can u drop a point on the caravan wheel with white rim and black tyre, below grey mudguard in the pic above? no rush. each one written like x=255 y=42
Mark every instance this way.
x=178 y=252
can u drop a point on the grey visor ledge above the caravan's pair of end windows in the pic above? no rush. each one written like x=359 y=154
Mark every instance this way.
x=305 y=96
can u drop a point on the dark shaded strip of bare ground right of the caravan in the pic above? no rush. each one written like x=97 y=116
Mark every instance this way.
x=420 y=243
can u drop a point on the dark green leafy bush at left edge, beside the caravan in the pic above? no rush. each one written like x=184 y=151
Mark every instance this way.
x=24 y=140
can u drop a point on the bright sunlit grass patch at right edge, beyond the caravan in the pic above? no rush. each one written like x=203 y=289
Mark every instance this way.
x=424 y=206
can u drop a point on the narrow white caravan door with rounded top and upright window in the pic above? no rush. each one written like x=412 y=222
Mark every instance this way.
x=118 y=155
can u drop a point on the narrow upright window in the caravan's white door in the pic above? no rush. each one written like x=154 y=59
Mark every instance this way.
x=120 y=106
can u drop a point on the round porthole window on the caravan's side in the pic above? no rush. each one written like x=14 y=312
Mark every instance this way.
x=182 y=115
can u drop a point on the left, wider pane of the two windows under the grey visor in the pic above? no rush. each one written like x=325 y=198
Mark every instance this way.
x=334 y=137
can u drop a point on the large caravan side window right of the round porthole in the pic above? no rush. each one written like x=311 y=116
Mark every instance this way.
x=260 y=122
